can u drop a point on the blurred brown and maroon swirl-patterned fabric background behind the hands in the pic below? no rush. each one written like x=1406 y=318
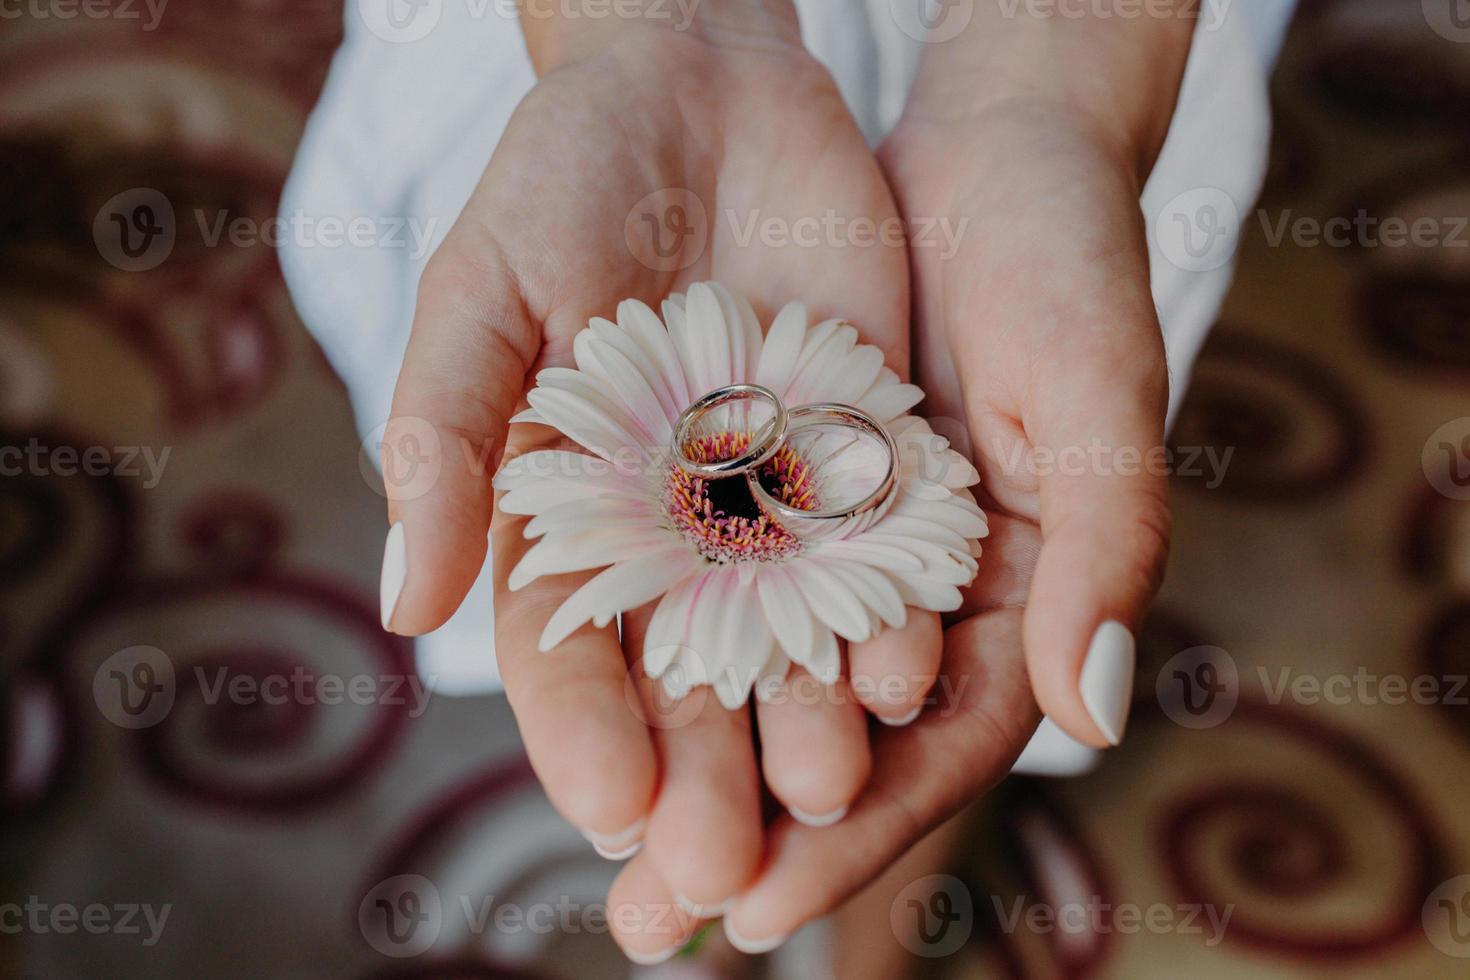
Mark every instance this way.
x=184 y=506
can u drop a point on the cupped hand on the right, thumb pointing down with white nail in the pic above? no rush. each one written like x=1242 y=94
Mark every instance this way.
x=1039 y=339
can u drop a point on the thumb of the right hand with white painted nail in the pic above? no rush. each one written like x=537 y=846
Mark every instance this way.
x=1097 y=427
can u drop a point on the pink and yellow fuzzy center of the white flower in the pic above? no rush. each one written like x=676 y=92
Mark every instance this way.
x=723 y=519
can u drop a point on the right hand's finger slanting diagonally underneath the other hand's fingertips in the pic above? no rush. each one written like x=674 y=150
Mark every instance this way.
x=922 y=775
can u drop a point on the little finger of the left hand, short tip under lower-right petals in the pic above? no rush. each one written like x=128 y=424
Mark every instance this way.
x=894 y=671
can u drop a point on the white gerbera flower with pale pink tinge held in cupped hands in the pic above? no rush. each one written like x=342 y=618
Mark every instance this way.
x=743 y=596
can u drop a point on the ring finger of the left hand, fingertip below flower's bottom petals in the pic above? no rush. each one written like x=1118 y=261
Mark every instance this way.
x=814 y=743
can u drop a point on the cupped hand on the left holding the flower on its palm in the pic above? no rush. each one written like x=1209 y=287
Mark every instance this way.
x=658 y=162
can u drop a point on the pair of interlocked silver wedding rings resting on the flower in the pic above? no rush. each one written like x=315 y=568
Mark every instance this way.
x=768 y=440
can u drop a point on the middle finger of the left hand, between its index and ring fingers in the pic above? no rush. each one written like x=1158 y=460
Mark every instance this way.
x=705 y=834
